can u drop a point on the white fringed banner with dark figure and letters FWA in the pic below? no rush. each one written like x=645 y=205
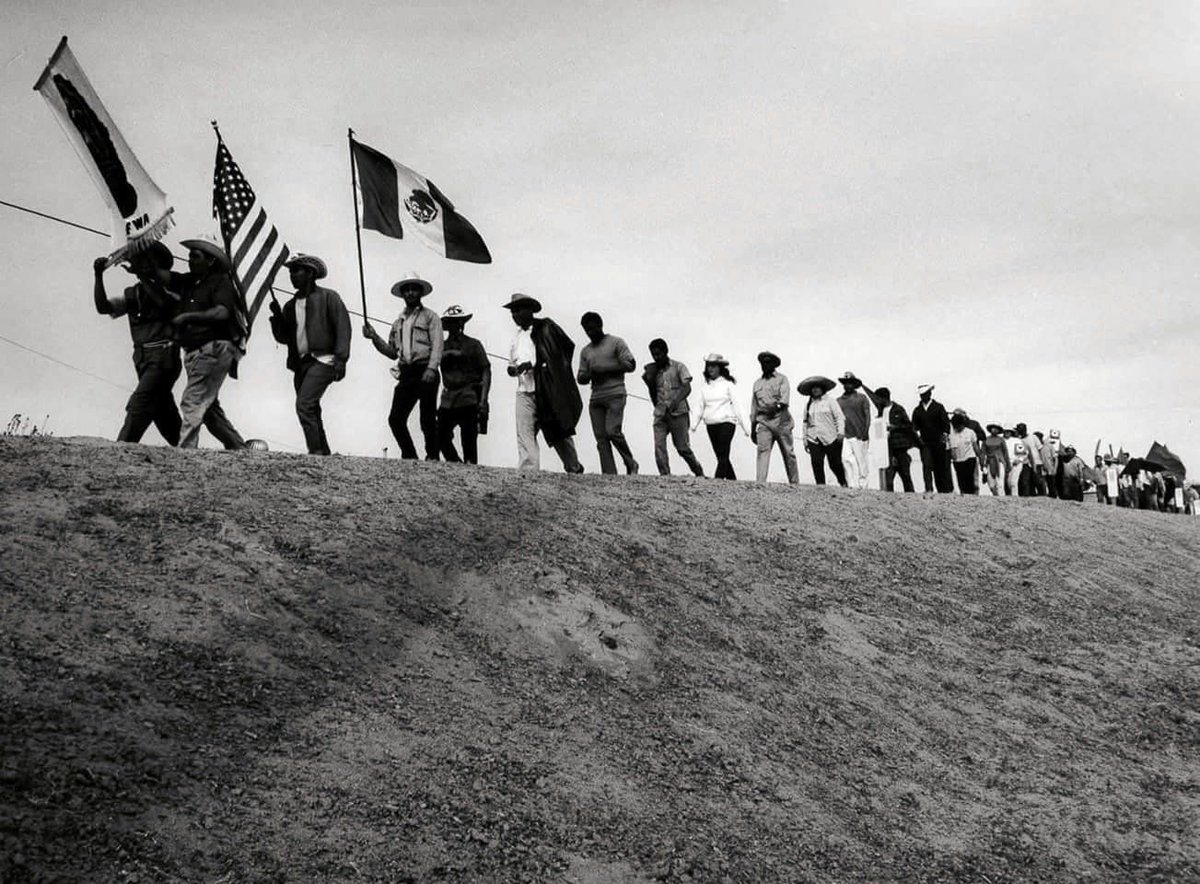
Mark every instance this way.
x=140 y=209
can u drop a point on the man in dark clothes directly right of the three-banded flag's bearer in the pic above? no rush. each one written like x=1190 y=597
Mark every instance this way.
x=466 y=383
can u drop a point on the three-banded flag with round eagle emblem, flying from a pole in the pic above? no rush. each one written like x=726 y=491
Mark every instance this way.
x=393 y=196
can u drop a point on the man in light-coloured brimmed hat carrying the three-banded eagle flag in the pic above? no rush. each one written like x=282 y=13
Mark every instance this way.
x=416 y=344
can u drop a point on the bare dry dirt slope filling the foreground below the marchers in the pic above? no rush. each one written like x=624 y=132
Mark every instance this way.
x=254 y=669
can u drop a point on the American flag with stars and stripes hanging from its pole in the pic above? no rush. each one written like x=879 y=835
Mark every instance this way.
x=254 y=244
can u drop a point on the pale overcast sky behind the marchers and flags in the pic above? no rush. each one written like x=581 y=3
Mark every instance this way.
x=1000 y=199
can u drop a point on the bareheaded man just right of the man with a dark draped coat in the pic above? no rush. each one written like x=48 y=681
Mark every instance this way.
x=604 y=363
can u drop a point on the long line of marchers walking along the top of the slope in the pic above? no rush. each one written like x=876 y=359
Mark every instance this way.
x=195 y=323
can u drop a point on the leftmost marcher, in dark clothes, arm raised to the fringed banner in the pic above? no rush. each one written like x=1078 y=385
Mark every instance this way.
x=151 y=305
